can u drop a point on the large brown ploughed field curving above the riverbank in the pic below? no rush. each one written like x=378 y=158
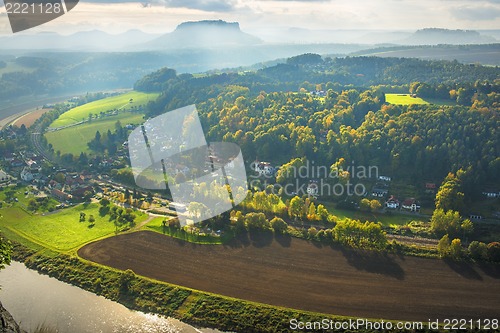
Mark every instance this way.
x=296 y=274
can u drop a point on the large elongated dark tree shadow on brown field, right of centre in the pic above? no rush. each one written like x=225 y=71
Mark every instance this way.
x=373 y=262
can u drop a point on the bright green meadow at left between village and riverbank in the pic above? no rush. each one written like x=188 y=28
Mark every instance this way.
x=60 y=230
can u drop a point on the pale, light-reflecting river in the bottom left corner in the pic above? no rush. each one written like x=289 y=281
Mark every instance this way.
x=34 y=299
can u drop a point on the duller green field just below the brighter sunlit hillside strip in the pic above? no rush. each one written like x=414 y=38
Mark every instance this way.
x=74 y=139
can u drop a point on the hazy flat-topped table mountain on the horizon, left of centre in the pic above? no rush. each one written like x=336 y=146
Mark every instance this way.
x=204 y=34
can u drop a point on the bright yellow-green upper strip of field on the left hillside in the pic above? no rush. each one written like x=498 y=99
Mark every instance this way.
x=120 y=103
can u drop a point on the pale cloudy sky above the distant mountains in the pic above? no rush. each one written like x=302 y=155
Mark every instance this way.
x=164 y=15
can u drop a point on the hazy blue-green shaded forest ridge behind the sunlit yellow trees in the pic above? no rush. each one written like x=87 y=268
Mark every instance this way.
x=357 y=71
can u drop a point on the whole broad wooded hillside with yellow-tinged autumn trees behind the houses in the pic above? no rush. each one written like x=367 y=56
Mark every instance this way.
x=273 y=116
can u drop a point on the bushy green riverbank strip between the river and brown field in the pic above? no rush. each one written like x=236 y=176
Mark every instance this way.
x=147 y=295
